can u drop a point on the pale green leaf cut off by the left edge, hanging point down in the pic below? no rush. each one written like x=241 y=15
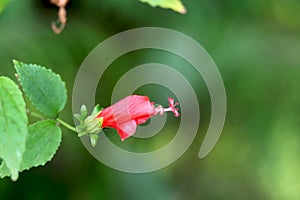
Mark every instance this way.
x=13 y=125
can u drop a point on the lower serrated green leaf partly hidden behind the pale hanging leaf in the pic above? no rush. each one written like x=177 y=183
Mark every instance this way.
x=43 y=140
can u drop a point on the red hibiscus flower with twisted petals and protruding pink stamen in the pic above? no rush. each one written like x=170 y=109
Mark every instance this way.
x=131 y=111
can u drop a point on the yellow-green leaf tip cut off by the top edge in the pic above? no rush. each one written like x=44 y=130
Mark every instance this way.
x=175 y=5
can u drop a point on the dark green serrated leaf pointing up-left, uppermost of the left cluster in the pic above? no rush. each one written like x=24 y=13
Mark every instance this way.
x=45 y=89
